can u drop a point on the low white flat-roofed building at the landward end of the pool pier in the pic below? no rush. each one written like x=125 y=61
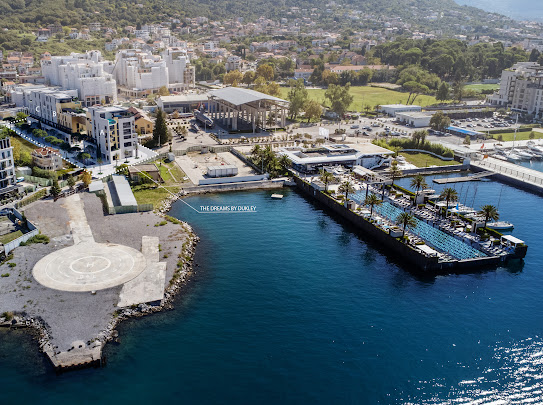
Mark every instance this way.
x=307 y=160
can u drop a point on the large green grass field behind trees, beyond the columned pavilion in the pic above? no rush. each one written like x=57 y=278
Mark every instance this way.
x=366 y=95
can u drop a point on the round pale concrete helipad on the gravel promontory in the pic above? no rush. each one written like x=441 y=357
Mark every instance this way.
x=89 y=266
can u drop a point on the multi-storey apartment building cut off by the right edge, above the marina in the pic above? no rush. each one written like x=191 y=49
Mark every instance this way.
x=521 y=89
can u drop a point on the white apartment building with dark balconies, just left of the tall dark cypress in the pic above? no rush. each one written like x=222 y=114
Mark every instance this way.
x=113 y=130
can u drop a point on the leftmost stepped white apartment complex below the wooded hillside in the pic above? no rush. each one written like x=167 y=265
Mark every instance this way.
x=87 y=73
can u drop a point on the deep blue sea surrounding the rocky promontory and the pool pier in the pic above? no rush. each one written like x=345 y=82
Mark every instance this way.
x=290 y=305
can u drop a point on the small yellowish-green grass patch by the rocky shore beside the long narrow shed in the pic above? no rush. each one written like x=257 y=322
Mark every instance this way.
x=150 y=194
